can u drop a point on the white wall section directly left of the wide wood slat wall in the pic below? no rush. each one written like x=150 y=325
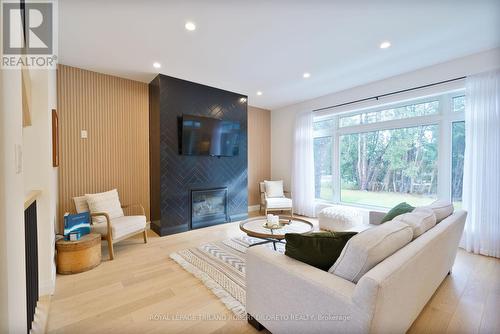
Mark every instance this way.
x=38 y=172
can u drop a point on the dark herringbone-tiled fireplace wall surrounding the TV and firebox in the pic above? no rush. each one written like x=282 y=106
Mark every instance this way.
x=173 y=175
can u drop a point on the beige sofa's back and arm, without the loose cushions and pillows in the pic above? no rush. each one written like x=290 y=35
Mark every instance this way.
x=288 y=296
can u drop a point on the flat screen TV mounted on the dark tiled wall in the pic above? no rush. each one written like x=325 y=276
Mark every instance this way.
x=209 y=136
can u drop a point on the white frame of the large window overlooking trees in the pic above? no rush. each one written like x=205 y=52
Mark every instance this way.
x=444 y=119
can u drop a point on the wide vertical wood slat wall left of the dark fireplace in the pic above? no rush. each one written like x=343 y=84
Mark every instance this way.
x=115 y=113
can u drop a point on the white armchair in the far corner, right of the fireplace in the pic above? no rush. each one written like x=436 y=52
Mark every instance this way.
x=272 y=197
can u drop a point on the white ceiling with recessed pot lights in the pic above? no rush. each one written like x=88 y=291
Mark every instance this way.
x=247 y=46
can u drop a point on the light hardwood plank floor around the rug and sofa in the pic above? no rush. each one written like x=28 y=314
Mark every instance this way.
x=128 y=294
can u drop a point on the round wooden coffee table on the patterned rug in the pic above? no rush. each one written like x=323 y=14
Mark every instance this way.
x=255 y=227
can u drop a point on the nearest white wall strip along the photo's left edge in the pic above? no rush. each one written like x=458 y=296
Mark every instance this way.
x=12 y=259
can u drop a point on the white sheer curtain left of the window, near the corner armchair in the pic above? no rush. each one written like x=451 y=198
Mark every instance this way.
x=303 y=165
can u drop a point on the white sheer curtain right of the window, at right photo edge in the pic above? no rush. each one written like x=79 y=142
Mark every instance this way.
x=481 y=188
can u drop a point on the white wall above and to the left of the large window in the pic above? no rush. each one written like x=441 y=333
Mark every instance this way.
x=282 y=120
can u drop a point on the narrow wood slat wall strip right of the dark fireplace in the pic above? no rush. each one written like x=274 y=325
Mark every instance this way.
x=259 y=151
